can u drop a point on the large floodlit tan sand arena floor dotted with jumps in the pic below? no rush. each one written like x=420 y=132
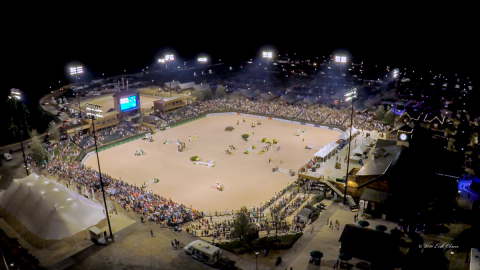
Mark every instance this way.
x=247 y=179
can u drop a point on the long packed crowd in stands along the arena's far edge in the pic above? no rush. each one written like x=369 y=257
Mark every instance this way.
x=316 y=114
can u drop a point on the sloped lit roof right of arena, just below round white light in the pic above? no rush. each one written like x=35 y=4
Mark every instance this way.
x=380 y=165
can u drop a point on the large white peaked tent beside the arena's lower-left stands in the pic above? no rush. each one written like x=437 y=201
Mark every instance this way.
x=48 y=209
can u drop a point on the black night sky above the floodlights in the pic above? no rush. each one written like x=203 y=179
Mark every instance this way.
x=38 y=44
